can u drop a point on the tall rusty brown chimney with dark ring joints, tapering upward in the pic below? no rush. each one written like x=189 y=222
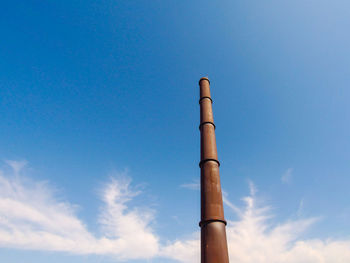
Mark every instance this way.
x=213 y=224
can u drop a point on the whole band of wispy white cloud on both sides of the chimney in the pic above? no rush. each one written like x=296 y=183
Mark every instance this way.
x=32 y=217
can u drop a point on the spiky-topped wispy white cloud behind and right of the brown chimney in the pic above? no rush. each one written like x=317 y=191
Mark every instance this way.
x=253 y=238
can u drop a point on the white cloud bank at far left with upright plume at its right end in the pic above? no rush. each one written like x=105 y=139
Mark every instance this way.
x=31 y=217
